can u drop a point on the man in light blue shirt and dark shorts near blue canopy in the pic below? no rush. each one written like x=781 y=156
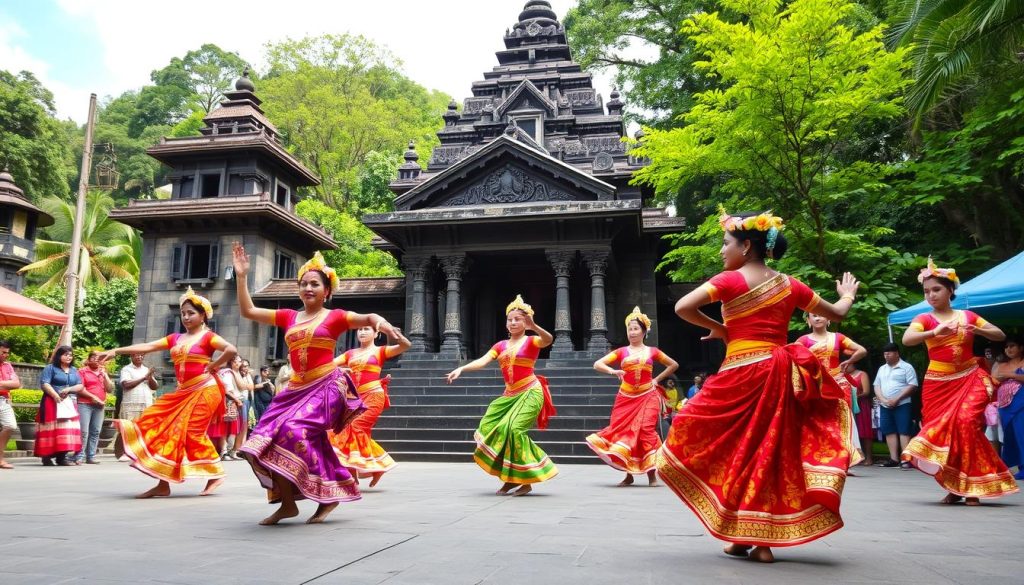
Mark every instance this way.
x=894 y=385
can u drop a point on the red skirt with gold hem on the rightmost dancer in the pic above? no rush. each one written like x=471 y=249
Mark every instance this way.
x=952 y=445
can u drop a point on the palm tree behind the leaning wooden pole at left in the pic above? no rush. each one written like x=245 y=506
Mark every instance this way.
x=110 y=249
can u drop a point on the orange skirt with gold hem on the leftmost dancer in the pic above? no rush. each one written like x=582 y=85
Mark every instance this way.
x=168 y=441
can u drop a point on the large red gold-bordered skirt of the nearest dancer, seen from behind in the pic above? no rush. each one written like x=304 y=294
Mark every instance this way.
x=760 y=453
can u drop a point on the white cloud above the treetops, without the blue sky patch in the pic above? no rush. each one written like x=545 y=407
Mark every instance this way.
x=445 y=46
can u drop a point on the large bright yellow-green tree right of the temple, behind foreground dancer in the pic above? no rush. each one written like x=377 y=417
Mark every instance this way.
x=787 y=132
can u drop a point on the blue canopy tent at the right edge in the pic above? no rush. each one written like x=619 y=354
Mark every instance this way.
x=997 y=295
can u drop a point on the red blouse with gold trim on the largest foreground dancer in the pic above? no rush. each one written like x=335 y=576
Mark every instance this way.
x=758 y=319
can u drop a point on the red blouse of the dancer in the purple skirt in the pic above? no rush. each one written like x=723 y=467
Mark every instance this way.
x=312 y=343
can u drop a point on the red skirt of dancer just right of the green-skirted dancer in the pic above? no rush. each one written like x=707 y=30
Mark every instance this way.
x=630 y=443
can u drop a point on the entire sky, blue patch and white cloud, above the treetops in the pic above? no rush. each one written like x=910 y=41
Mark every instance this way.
x=78 y=48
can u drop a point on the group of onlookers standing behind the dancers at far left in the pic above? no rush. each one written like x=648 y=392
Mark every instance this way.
x=73 y=404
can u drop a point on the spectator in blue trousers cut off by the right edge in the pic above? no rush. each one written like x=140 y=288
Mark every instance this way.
x=1010 y=374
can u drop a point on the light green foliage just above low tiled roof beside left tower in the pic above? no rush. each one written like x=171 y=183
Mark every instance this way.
x=356 y=257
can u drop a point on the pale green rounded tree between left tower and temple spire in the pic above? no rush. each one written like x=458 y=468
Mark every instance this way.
x=338 y=98
